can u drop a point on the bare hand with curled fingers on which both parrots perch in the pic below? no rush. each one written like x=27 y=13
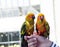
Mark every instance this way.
x=37 y=41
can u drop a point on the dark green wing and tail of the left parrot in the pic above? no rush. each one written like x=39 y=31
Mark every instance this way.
x=23 y=33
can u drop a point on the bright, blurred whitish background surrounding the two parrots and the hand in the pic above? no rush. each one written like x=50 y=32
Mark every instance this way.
x=12 y=15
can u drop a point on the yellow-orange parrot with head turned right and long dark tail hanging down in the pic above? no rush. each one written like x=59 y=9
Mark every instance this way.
x=27 y=28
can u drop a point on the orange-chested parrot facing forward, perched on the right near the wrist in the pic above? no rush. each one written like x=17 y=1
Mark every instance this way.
x=42 y=26
